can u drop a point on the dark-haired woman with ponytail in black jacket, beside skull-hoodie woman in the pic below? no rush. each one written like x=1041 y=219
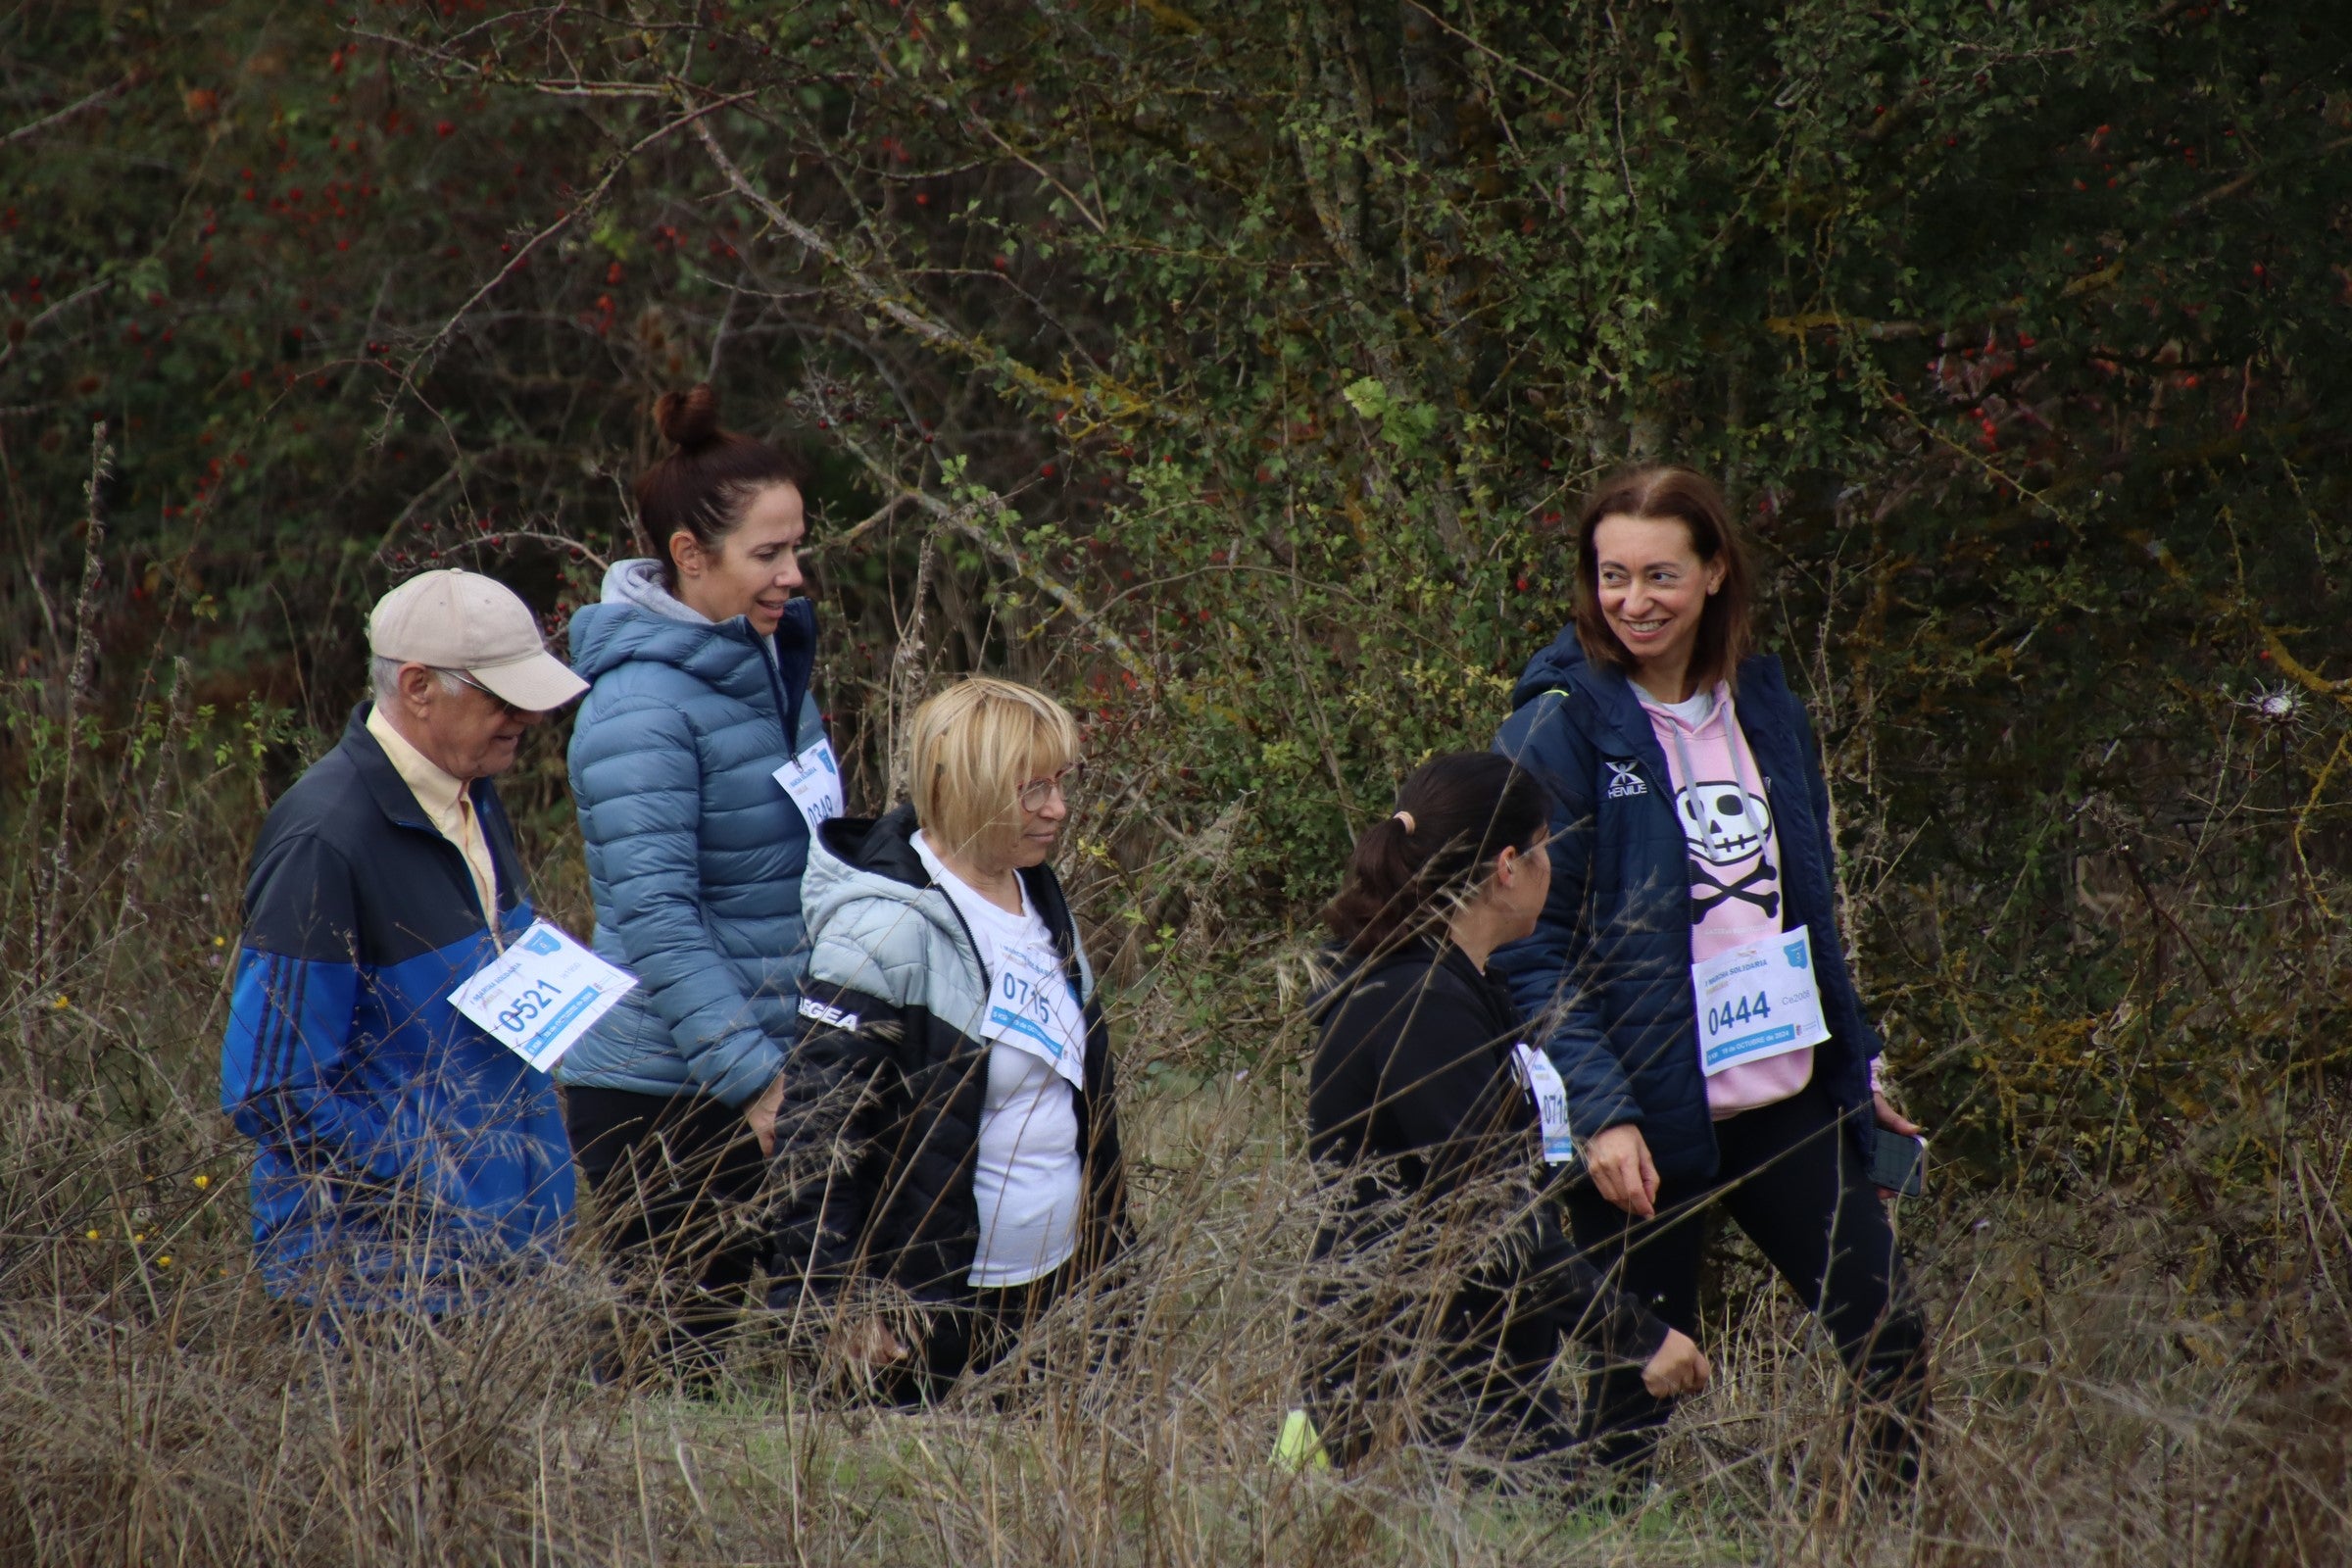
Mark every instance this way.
x=1448 y=1282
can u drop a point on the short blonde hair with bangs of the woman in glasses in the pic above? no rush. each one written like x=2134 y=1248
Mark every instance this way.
x=970 y=753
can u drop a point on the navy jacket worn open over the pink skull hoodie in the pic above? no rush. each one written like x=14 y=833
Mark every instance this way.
x=1610 y=965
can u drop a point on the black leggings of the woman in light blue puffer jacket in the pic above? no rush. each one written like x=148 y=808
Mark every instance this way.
x=676 y=1184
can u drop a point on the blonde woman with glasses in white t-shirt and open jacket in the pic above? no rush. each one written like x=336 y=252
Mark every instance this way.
x=954 y=1139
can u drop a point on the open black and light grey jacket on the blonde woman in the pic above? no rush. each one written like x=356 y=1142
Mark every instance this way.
x=883 y=1097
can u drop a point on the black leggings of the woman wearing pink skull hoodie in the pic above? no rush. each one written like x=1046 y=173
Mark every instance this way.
x=1793 y=1179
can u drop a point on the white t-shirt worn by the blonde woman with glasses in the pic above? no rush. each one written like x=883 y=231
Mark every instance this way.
x=1029 y=1174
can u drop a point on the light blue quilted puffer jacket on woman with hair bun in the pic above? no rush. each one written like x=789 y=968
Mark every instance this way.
x=695 y=850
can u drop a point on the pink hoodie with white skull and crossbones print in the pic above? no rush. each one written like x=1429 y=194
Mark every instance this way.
x=1735 y=866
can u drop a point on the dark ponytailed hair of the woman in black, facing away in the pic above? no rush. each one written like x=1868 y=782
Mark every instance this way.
x=1455 y=817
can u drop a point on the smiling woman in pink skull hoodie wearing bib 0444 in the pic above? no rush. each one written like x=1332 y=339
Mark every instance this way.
x=1695 y=824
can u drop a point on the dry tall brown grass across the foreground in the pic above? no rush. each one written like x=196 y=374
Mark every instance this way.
x=2092 y=1402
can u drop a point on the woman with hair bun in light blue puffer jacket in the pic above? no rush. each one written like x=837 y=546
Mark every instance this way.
x=700 y=768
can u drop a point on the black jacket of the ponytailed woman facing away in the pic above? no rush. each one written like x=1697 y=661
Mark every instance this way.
x=1417 y=1104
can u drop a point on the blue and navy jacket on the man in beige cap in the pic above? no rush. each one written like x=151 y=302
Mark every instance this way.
x=399 y=1144
